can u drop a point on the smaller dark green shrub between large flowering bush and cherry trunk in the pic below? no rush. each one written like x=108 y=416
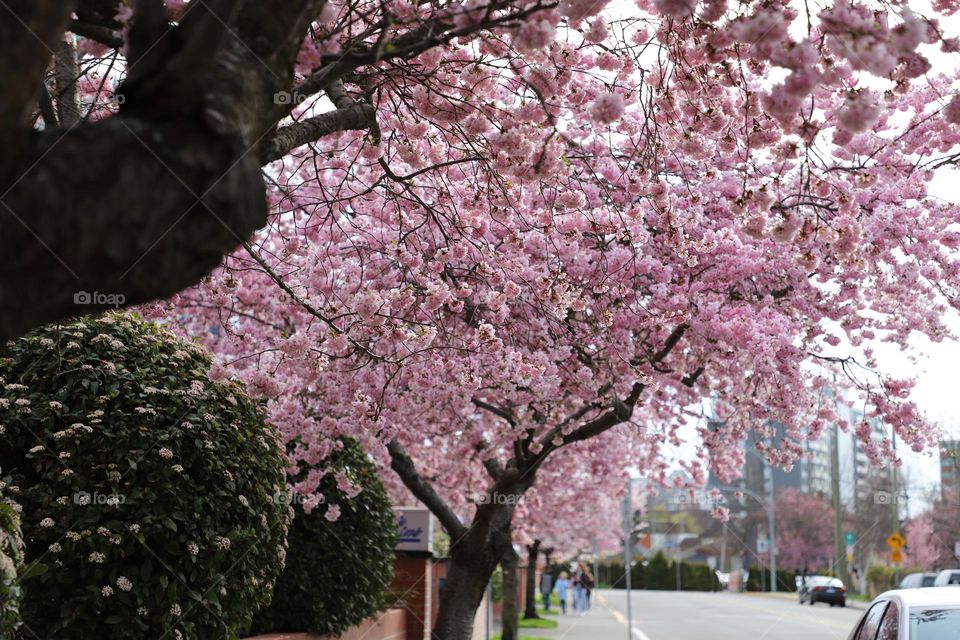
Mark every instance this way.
x=338 y=566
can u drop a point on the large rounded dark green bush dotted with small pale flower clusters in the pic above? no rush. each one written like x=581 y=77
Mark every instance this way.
x=147 y=490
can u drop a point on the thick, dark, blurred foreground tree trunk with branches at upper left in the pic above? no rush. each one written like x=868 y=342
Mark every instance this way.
x=147 y=203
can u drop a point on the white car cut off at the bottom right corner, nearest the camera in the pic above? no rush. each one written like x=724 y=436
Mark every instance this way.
x=928 y=613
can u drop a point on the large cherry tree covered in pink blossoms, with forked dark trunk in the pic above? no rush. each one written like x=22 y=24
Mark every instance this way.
x=560 y=230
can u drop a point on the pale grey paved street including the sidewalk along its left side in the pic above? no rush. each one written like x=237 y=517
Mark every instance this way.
x=666 y=615
